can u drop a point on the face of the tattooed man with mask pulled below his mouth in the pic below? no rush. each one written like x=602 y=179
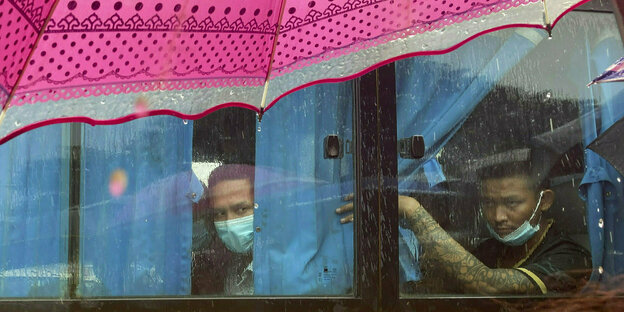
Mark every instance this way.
x=508 y=202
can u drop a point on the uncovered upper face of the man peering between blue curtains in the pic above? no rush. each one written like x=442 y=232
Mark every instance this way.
x=232 y=199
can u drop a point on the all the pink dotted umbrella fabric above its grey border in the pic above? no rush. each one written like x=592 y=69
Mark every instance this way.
x=105 y=47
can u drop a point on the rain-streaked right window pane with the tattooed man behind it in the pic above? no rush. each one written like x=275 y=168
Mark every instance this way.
x=506 y=182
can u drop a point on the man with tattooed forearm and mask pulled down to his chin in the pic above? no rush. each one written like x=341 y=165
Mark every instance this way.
x=527 y=253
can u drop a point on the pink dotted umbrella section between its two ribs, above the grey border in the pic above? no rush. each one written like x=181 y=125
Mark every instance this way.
x=103 y=47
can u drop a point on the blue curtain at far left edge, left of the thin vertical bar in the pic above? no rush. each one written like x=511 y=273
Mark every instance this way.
x=34 y=169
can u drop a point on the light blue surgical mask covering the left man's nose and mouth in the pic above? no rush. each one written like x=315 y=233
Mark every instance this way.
x=236 y=234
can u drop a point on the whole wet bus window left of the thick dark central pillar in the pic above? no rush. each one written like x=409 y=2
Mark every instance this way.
x=161 y=206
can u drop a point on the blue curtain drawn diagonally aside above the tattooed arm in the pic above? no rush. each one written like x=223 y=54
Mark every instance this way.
x=435 y=95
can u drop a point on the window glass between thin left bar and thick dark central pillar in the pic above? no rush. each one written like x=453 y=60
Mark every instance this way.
x=223 y=206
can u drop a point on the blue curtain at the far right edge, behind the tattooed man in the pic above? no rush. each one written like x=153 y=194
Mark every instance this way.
x=601 y=186
